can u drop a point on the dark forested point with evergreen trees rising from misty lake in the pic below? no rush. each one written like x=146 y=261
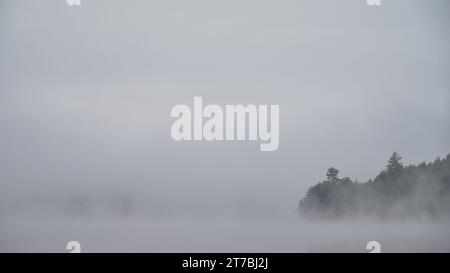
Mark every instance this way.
x=421 y=191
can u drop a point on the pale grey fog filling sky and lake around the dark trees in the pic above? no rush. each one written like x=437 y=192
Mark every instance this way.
x=85 y=99
